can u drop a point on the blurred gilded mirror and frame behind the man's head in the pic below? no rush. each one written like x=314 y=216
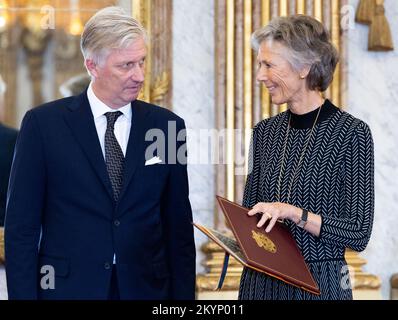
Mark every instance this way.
x=40 y=50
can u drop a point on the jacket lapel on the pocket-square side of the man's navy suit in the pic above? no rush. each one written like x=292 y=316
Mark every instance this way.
x=135 y=153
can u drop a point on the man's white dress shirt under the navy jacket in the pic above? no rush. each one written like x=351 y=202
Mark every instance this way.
x=122 y=124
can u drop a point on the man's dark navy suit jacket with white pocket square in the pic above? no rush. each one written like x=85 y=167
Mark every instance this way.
x=61 y=210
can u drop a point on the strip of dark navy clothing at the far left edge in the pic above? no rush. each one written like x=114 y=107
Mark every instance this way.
x=8 y=138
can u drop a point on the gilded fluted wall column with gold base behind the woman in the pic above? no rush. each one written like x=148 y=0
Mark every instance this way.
x=241 y=103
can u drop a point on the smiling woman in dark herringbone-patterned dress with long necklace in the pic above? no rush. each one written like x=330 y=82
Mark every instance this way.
x=312 y=166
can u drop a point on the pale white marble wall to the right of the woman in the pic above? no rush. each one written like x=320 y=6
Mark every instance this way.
x=373 y=97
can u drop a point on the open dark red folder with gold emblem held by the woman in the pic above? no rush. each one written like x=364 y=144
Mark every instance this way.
x=274 y=253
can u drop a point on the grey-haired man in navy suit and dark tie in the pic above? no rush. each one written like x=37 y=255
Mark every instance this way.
x=92 y=214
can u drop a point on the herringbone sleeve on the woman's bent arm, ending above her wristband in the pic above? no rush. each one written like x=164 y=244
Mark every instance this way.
x=353 y=227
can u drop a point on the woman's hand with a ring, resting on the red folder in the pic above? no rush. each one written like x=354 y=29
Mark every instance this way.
x=274 y=211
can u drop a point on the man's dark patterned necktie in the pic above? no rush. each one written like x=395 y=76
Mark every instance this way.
x=114 y=157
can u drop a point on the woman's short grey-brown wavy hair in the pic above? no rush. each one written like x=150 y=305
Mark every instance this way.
x=308 y=43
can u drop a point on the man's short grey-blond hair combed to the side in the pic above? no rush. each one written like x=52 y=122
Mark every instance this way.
x=110 y=28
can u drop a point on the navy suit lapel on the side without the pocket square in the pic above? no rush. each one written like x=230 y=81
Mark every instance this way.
x=81 y=122
